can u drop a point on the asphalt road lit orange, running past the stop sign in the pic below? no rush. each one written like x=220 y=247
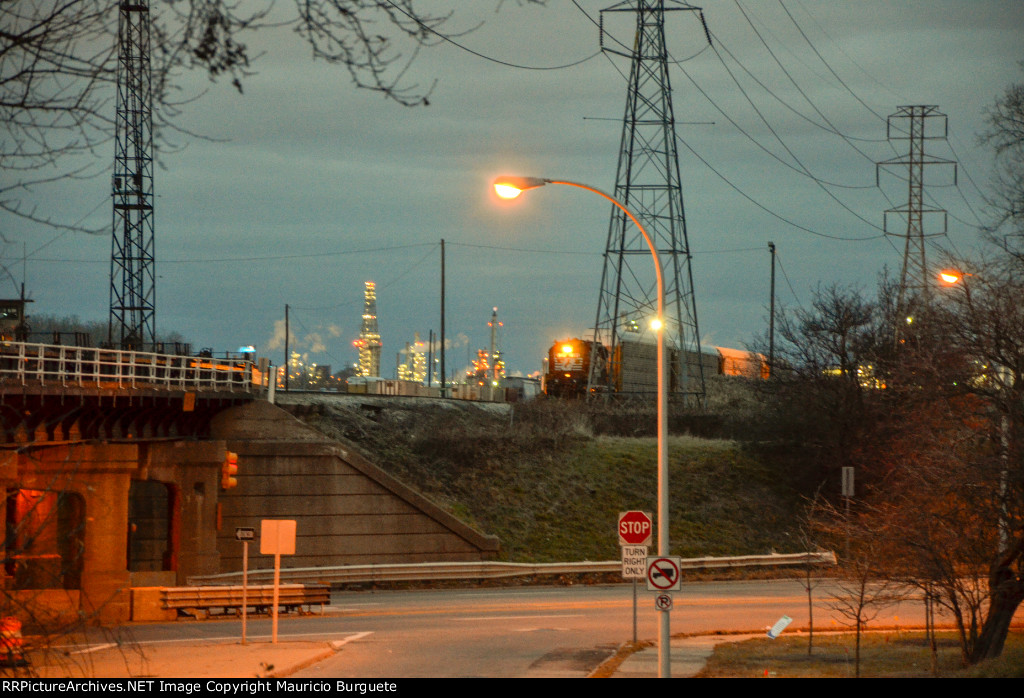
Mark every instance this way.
x=515 y=632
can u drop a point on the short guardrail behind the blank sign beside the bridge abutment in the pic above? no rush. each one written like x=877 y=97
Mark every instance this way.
x=201 y=601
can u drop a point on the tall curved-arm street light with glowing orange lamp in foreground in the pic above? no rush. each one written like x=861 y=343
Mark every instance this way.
x=510 y=188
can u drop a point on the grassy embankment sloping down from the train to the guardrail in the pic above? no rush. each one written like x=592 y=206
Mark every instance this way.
x=551 y=490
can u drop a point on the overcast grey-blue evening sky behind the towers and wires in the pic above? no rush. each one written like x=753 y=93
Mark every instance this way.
x=311 y=188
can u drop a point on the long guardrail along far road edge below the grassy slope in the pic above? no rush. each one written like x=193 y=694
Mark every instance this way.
x=440 y=572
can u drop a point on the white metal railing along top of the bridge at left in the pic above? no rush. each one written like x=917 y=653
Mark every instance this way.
x=27 y=364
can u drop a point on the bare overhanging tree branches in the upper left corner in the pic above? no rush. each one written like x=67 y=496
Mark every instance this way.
x=58 y=63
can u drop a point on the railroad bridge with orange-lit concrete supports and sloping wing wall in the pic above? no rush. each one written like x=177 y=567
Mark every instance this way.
x=112 y=465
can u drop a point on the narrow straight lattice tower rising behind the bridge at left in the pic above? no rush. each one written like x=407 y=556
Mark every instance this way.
x=133 y=266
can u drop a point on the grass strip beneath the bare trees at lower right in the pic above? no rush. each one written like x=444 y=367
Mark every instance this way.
x=883 y=656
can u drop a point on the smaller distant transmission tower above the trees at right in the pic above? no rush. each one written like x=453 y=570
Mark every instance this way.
x=912 y=124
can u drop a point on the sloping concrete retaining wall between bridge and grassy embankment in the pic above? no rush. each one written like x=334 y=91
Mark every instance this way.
x=348 y=510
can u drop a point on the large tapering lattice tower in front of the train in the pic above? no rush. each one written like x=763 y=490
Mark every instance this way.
x=648 y=183
